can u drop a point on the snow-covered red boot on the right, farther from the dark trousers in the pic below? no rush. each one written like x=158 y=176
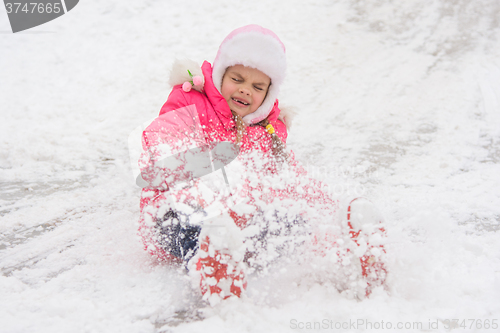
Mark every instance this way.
x=366 y=229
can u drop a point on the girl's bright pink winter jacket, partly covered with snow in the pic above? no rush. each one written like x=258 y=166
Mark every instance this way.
x=214 y=122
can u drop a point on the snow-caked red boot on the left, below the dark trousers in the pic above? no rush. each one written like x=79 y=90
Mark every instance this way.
x=220 y=275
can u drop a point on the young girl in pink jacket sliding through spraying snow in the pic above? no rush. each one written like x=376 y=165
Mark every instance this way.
x=225 y=197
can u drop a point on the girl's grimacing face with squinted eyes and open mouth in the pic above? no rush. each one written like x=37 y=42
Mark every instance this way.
x=244 y=88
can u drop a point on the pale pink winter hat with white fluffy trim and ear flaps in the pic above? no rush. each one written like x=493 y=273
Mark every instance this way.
x=256 y=47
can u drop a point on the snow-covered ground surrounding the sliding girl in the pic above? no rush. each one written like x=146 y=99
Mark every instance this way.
x=398 y=100
